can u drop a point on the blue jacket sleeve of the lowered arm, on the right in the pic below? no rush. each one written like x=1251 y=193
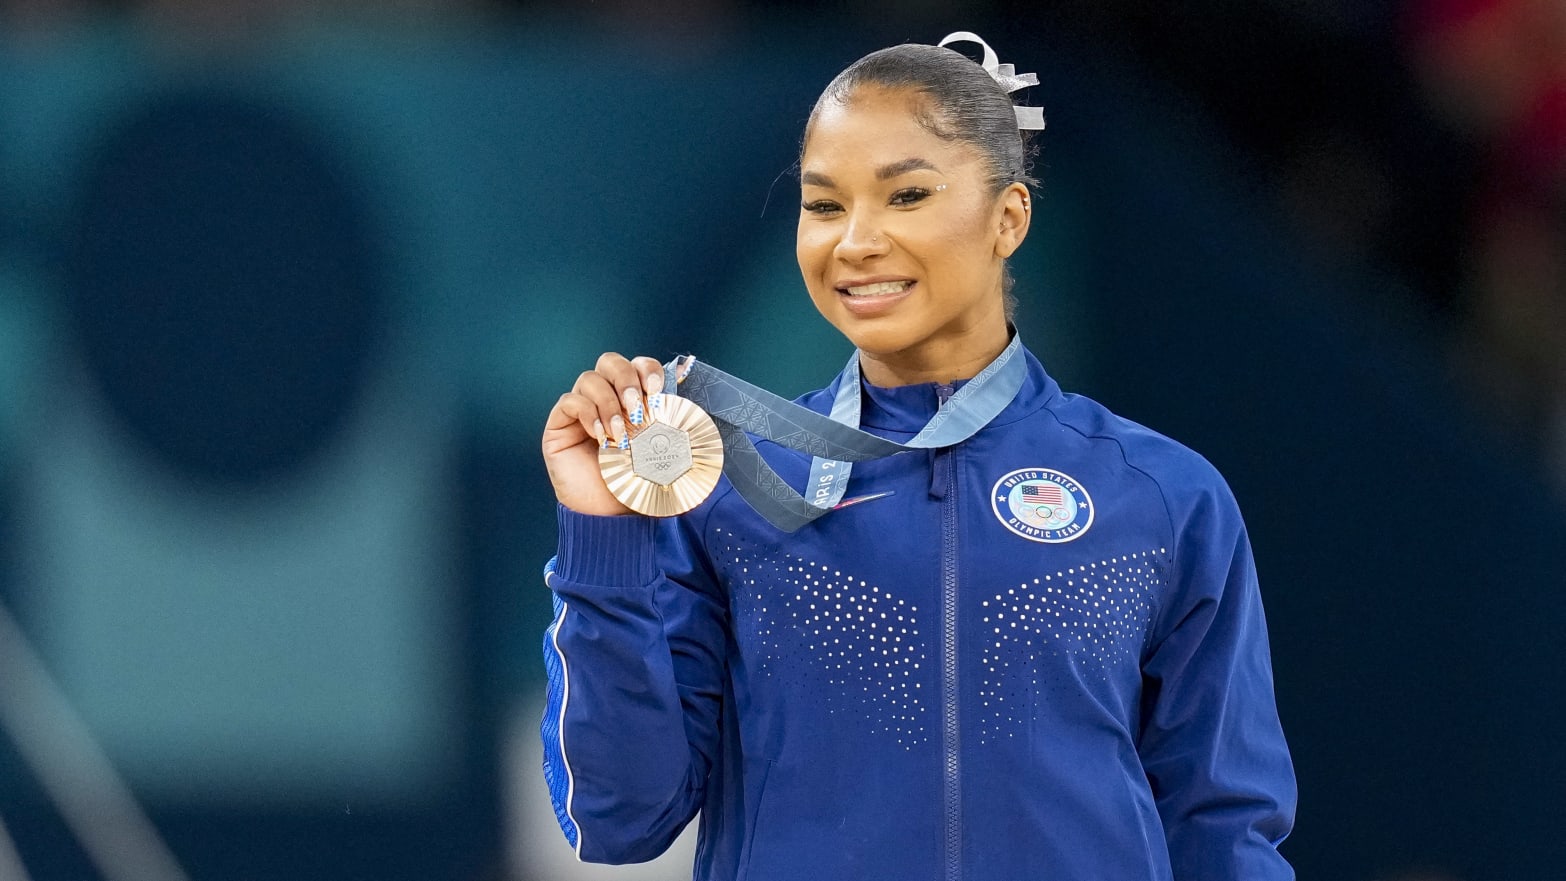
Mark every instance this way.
x=1211 y=741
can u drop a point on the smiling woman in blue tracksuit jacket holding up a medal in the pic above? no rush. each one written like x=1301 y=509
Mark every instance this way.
x=1034 y=653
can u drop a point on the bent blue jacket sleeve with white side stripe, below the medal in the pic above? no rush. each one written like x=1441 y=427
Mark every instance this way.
x=637 y=666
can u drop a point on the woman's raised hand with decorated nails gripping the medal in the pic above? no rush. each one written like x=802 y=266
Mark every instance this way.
x=599 y=406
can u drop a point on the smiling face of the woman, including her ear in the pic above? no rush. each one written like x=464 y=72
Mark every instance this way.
x=901 y=240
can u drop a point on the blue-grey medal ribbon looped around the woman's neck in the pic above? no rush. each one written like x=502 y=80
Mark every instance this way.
x=835 y=442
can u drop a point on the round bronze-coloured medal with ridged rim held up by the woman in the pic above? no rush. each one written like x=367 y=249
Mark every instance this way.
x=671 y=466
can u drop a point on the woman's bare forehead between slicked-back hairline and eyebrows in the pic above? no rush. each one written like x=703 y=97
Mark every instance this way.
x=875 y=126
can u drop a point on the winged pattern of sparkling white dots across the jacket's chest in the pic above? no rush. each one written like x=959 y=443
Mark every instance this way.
x=864 y=650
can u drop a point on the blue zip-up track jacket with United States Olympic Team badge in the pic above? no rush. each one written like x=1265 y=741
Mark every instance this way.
x=1042 y=656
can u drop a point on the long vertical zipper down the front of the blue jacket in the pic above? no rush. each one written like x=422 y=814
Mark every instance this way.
x=945 y=484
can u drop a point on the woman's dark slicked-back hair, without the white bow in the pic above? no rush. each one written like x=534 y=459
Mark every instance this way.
x=962 y=104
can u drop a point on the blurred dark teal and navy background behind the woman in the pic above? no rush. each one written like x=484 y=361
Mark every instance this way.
x=287 y=289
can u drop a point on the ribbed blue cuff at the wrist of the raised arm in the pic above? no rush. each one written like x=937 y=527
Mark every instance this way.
x=607 y=552
